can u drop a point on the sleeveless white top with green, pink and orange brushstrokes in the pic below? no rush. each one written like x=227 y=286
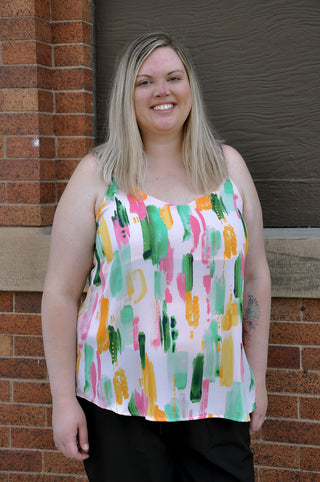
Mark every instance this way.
x=160 y=330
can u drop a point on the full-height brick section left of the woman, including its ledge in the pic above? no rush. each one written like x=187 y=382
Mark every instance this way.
x=46 y=126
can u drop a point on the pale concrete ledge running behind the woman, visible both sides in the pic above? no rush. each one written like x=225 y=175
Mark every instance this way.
x=293 y=256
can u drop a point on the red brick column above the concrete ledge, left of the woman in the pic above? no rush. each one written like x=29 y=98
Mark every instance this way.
x=46 y=104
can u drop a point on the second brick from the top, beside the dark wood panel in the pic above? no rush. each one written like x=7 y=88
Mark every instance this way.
x=71 y=32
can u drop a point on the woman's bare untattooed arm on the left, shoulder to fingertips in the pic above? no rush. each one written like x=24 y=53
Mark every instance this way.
x=70 y=260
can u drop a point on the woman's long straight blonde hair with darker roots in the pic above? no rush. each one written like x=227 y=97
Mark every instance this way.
x=122 y=155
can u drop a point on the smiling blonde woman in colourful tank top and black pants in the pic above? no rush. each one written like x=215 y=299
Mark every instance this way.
x=170 y=345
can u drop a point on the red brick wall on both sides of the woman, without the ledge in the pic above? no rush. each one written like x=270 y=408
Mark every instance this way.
x=46 y=126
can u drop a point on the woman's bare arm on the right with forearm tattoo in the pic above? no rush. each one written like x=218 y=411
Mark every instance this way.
x=257 y=286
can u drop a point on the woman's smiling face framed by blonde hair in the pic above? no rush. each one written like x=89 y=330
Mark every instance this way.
x=162 y=95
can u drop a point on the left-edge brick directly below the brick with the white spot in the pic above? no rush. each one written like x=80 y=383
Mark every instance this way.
x=16 y=170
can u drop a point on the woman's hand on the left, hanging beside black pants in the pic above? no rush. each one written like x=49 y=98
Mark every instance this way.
x=70 y=429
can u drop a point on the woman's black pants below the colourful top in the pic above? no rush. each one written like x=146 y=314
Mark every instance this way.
x=125 y=448
